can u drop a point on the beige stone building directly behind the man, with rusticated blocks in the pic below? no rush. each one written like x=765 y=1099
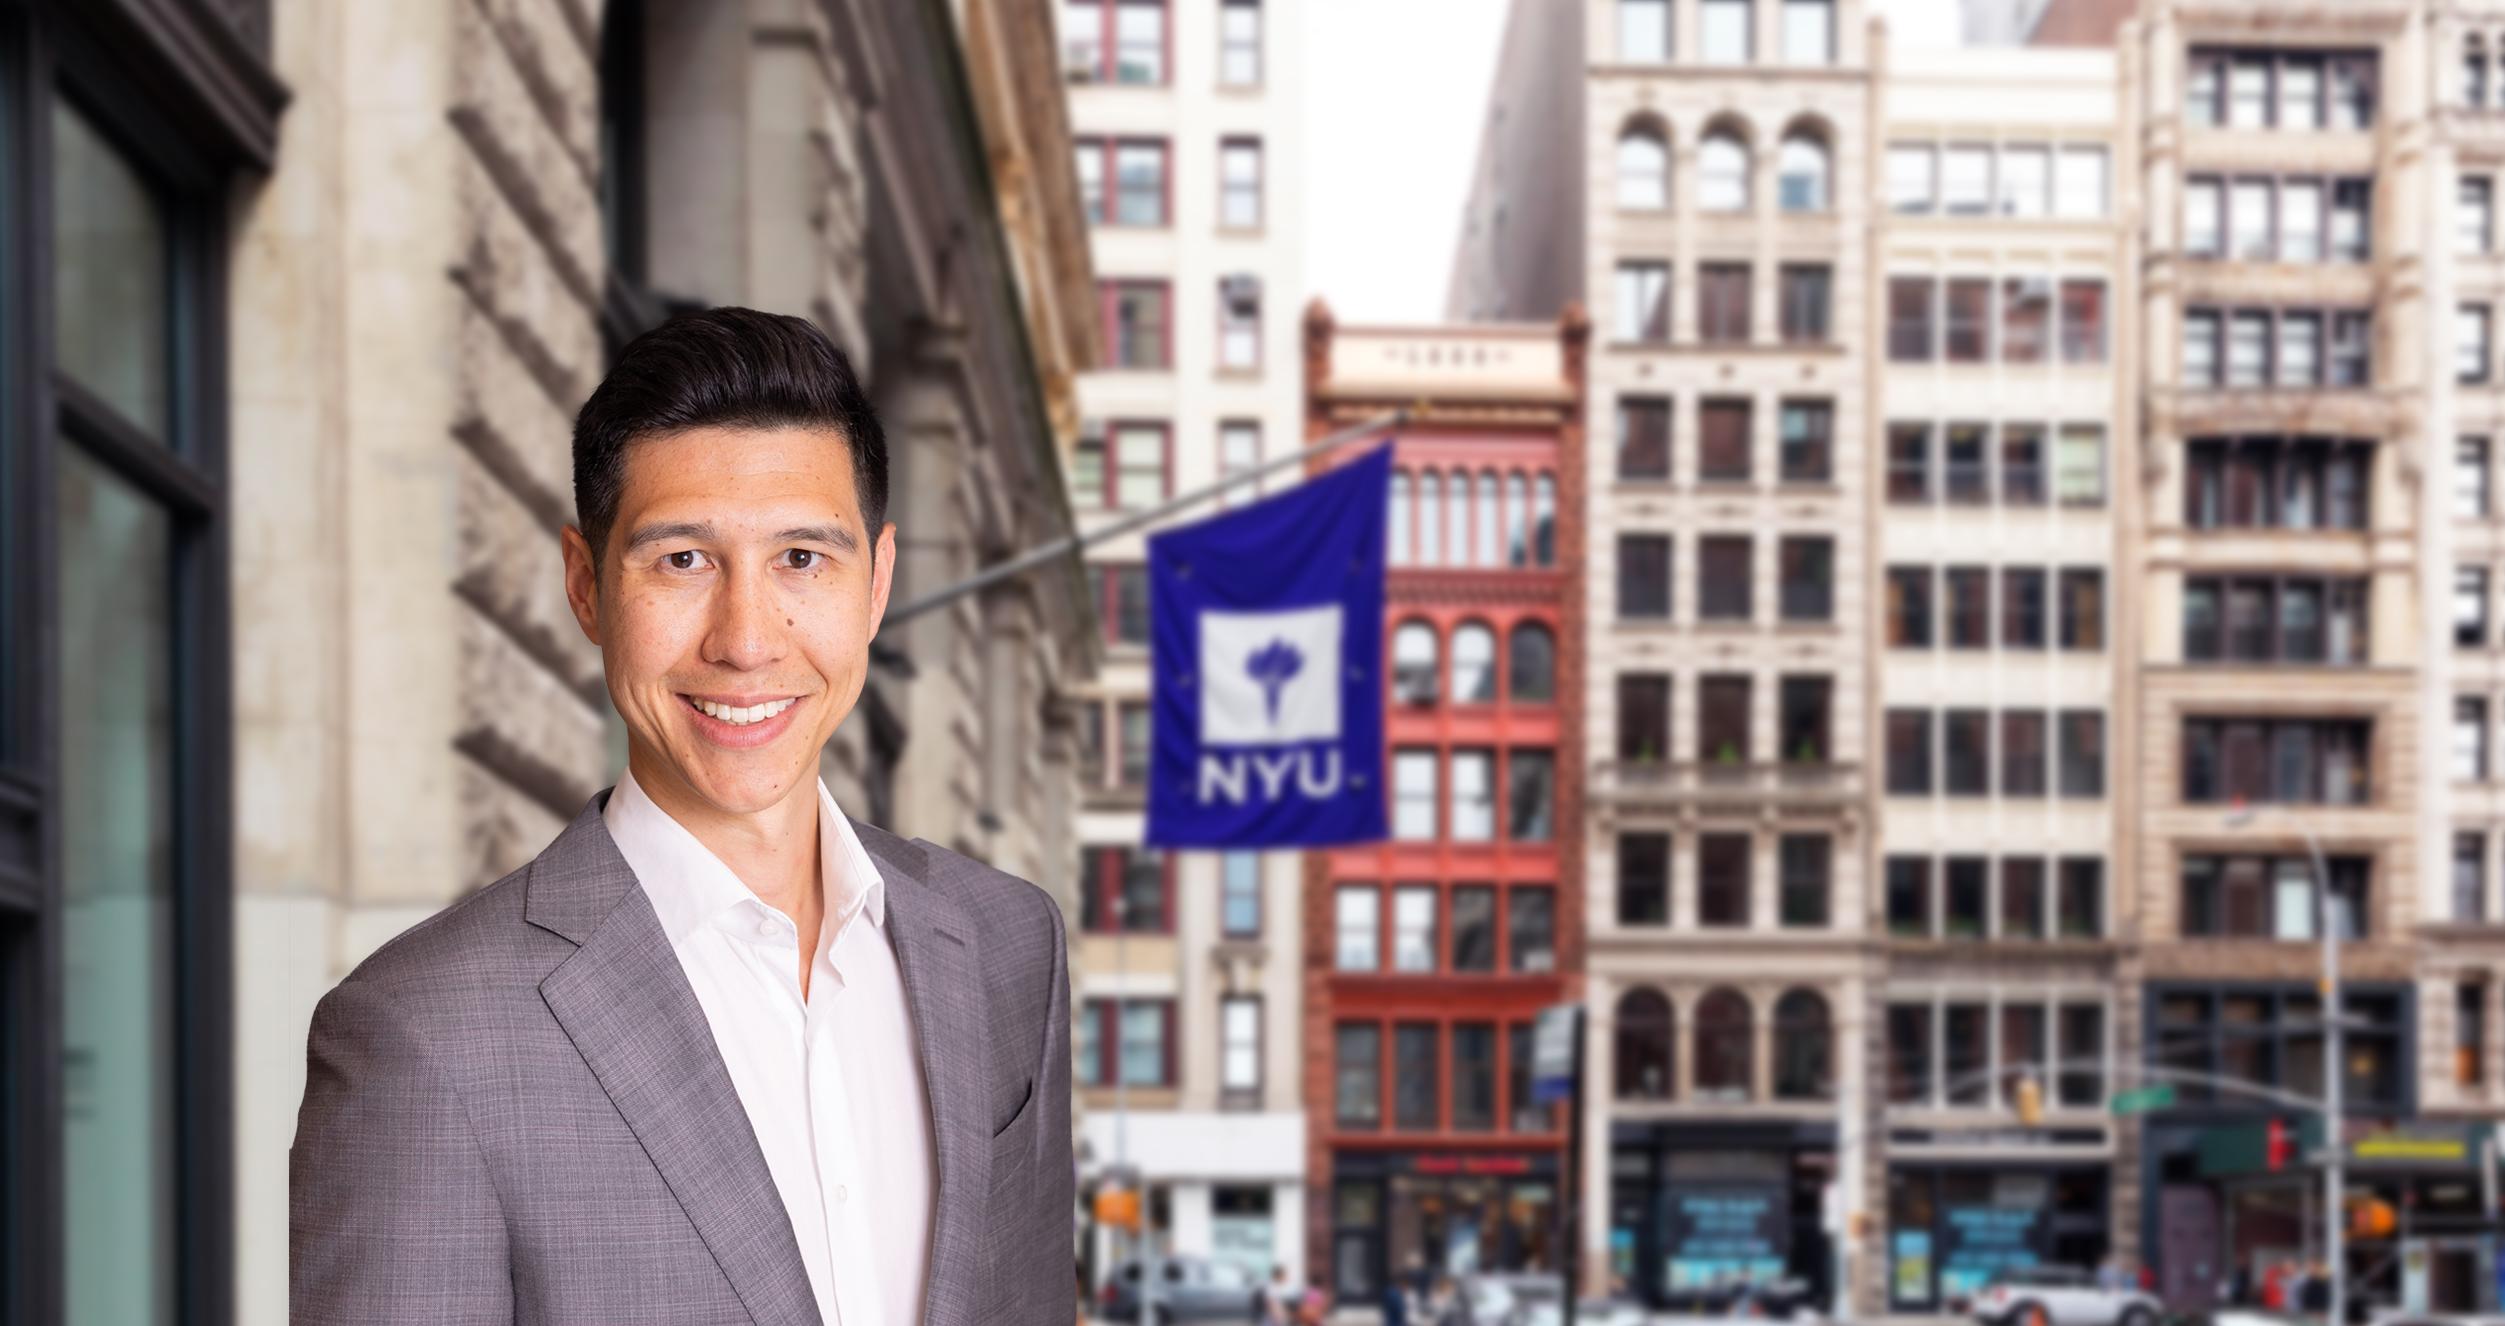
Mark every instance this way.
x=342 y=277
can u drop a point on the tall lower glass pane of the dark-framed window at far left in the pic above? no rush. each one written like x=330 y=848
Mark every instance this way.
x=116 y=919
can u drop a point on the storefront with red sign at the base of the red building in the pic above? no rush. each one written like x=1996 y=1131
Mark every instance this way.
x=1444 y=1212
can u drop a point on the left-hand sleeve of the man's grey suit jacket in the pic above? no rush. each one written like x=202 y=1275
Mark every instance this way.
x=392 y=1212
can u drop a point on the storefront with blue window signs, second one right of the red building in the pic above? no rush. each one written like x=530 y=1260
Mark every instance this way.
x=1958 y=1224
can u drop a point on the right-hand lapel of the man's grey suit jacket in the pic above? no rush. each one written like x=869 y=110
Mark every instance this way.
x=943 y=989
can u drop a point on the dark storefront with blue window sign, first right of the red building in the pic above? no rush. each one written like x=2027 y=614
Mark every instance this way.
x=1700 y=1209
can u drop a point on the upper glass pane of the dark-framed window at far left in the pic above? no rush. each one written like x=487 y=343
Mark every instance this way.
x=109 y=277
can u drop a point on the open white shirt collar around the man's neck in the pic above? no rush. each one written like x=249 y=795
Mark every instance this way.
x=690 y=886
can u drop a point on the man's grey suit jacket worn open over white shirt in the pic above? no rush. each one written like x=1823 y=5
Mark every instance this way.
x=517 y=1112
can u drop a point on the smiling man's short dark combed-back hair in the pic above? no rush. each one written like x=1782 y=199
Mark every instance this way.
x=713 y=370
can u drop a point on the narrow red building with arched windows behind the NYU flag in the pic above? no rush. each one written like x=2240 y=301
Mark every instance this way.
x=1432 y=956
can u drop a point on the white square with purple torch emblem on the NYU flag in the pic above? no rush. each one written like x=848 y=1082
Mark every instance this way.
x=1271 y=678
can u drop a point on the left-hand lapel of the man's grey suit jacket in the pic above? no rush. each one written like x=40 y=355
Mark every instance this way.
x=630 y=1011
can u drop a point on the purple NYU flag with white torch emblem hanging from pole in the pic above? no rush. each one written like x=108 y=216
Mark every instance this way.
x=1266 y=671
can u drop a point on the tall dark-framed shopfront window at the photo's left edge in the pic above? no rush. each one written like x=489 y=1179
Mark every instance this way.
x=121 y=167
